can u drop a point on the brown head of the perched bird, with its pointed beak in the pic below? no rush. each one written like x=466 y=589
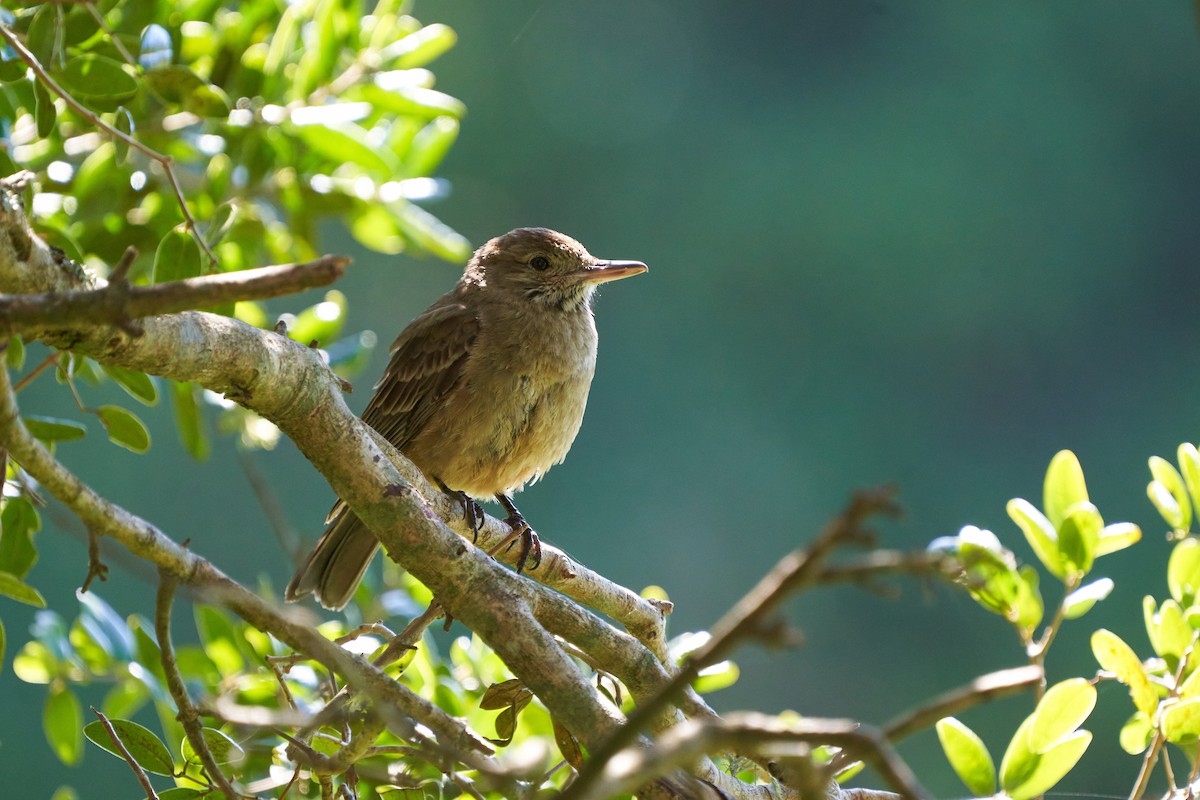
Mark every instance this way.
x=544 y=267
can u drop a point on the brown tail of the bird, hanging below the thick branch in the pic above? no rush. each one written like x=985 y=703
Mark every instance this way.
x=337 y=564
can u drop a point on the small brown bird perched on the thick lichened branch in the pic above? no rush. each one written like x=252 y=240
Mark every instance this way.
x=485 y=392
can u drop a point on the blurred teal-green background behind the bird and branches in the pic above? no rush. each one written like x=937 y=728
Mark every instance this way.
x=926 y=243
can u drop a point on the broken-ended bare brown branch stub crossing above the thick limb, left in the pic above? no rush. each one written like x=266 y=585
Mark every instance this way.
x=121 y=303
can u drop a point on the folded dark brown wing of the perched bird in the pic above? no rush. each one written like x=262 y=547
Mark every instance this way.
x=427 y=364
